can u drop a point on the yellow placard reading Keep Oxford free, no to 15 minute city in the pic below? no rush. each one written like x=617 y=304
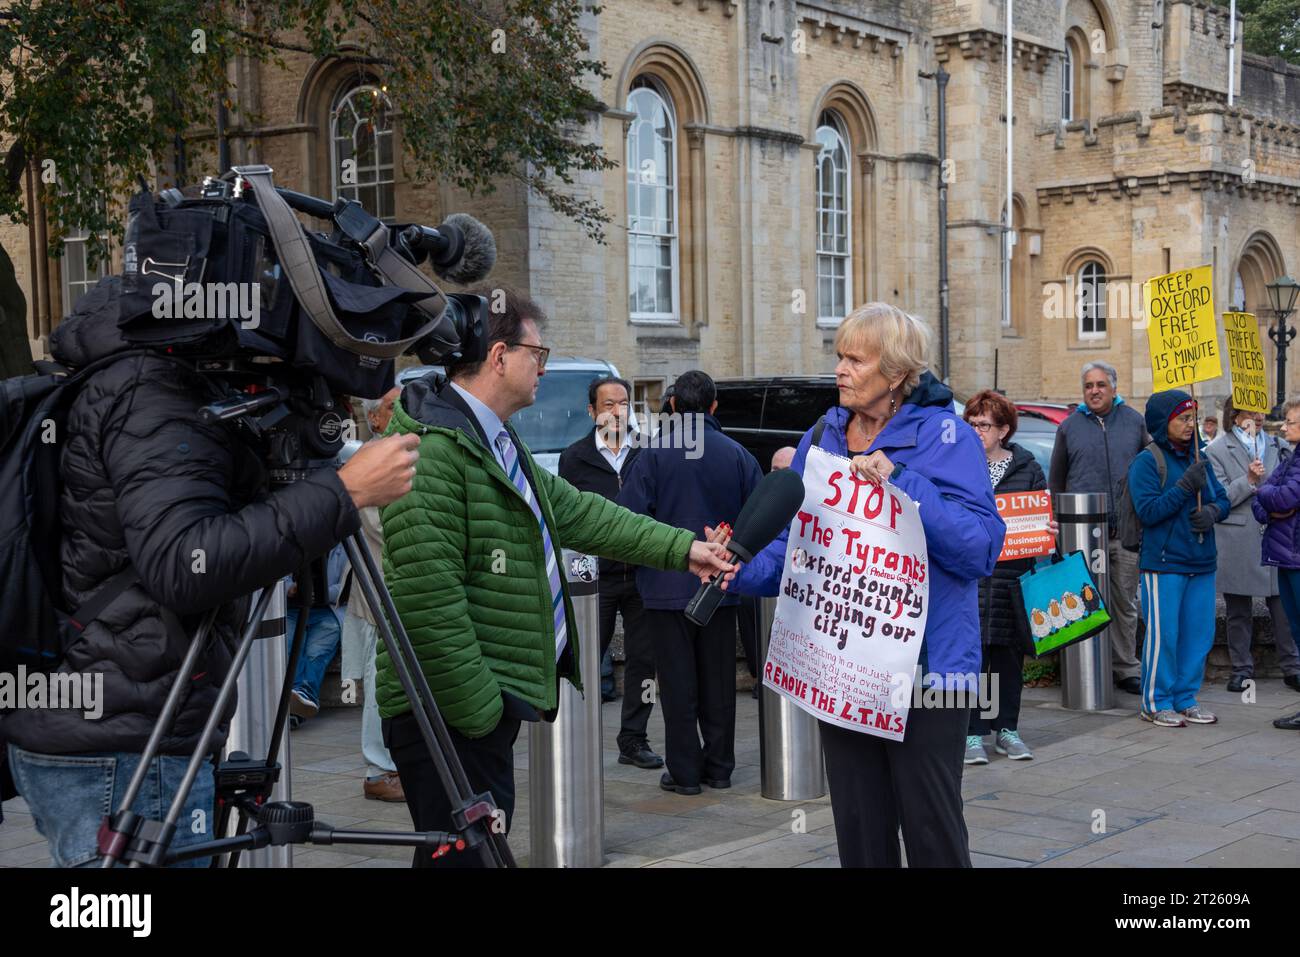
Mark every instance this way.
x=1181 y=330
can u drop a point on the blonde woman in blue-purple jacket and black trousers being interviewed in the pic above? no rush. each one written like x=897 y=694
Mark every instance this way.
x=896 y=423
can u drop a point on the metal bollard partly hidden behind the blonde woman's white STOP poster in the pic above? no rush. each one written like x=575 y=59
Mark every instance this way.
x=790 y=741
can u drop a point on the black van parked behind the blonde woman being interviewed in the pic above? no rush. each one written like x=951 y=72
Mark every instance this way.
x=768 y=413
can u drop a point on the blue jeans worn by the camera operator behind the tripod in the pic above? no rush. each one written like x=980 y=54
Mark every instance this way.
x=70 y=795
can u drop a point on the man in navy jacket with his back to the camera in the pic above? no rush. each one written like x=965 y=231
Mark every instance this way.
x=692 y=486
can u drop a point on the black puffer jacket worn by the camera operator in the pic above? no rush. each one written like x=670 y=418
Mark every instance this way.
x=148 y=483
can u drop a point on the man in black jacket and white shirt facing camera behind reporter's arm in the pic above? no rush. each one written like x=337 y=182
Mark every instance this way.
x=599 y=464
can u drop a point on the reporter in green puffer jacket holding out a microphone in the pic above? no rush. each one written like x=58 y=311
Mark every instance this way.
x=471 y=557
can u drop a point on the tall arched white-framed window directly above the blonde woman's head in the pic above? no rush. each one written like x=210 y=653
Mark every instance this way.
x=834 y=252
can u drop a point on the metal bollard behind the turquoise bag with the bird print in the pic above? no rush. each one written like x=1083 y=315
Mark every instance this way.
x=1086 y=685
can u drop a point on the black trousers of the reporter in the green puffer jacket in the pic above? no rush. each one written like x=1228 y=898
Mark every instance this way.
x=489 y=764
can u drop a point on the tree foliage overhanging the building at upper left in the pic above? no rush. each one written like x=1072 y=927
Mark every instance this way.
x=99 y=92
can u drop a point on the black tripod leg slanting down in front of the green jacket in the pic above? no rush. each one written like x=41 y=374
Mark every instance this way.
x=495 y=851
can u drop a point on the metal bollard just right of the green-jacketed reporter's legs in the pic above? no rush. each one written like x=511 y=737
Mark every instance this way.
x=566 y=776
